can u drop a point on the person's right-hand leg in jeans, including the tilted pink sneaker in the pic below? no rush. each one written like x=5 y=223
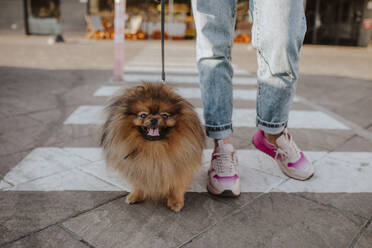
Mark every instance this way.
x=278 y=31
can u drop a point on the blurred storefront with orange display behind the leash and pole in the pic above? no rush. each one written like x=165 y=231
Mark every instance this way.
x=143 y=20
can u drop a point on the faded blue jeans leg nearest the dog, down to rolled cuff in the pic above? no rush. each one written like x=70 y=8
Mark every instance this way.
x=215 y=21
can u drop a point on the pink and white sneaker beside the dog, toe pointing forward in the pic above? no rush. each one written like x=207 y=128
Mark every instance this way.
x=223 y=179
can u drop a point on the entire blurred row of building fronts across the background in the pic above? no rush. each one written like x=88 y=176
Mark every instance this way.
x=331 y=22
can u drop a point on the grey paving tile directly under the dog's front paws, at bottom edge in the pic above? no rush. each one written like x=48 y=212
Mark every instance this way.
x=146 y=224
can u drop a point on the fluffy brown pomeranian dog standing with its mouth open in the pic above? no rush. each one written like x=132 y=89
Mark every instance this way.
x=154 y=138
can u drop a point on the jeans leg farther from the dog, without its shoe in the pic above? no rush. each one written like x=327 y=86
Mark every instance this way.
x=278 y=30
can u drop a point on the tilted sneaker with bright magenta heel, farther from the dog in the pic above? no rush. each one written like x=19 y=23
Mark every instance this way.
x=292 y=162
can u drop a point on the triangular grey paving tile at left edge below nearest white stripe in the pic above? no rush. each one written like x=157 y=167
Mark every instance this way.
x=24 y=212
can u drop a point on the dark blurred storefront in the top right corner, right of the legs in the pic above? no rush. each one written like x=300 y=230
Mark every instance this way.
x=339 y=22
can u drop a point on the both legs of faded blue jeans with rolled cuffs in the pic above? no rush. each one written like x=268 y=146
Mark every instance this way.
x=278 y=31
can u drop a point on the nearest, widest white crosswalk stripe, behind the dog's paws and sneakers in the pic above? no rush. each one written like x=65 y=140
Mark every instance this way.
x=55 y=169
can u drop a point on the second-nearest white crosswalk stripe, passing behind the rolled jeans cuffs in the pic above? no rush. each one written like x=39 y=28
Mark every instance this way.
x=241 y=118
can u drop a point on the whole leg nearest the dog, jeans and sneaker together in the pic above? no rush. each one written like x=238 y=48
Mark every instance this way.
x=215 y=21
